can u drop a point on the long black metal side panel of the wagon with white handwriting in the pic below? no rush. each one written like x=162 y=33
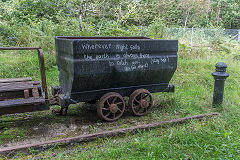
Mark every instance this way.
x=113 y=64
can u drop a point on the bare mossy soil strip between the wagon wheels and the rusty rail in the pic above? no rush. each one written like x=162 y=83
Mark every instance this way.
x=81 y=119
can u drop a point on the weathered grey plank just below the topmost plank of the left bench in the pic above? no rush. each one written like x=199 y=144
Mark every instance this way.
x=15 y=86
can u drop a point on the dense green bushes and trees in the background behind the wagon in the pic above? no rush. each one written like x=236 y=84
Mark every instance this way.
x=35 y=23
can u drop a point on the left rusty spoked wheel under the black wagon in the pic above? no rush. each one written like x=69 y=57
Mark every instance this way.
x=111 y=106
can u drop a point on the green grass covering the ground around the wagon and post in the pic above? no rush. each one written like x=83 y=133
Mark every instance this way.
x=217 y=138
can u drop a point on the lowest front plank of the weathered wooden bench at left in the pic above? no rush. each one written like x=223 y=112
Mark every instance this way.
x=21 y=102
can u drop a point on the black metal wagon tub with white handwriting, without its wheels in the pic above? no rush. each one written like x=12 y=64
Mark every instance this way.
x=90 y=67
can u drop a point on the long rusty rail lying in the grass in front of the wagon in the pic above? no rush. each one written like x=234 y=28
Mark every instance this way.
x=90 y=137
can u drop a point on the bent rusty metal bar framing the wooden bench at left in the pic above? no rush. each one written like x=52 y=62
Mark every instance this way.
x=41 y=63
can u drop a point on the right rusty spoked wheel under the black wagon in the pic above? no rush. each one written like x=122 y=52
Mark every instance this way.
x=140 y=102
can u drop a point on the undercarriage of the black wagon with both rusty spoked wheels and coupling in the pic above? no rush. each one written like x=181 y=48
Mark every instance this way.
x=111 y=105
